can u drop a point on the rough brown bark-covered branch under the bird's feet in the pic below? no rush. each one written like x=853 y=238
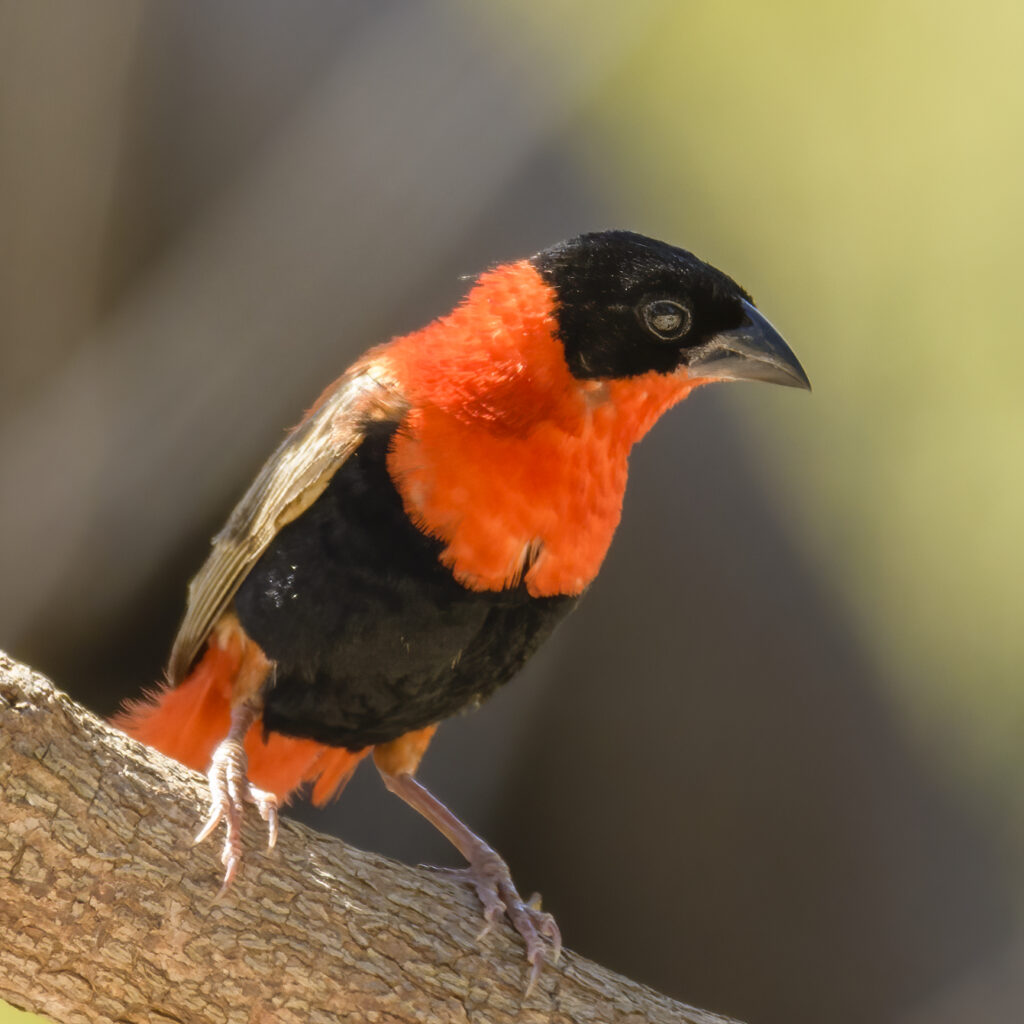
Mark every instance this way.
x=108 y=911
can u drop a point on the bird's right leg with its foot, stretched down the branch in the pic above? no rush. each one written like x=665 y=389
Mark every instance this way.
x=488 y=873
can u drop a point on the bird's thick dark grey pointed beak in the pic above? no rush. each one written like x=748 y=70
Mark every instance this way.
x=753 y=352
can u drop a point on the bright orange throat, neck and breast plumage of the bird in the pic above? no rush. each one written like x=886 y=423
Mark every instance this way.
x=517 y=465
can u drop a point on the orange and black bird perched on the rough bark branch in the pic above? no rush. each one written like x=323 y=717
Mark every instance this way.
x=440 y=510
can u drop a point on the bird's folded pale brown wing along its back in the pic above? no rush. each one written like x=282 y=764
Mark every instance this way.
x=290 y=482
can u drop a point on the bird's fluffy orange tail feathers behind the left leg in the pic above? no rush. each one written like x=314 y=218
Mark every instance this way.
x=187 y=723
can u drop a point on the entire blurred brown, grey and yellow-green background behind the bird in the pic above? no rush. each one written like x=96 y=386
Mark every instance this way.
x=774 y=765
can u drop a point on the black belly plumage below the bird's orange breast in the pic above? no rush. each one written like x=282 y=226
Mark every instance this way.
x=372 y=637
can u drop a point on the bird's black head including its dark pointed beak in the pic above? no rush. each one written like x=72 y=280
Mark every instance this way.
x=628 y=306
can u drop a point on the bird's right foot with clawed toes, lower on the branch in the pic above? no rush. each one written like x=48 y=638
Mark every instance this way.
x=491 y=878
